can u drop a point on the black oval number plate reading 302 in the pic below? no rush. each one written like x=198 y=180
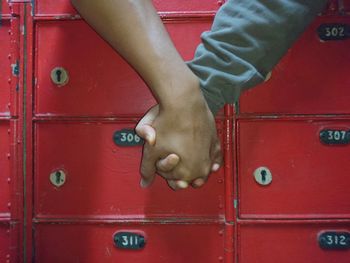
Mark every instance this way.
x=328 y=32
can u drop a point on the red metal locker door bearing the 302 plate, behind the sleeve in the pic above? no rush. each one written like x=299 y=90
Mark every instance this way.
x=312 y=78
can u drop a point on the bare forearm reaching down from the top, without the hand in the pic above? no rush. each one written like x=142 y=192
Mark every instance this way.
x=135 y=30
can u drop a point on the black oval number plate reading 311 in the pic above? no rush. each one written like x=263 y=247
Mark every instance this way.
x=129 y=240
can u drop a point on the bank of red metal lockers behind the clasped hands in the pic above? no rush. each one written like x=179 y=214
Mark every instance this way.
x=69 y=182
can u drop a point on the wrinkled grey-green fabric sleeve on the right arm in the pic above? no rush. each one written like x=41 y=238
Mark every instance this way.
x=247 y=39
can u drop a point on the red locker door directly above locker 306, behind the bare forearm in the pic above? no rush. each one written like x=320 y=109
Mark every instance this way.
x=100 y=83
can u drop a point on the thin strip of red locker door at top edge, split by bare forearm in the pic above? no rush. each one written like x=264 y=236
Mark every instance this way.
x=63 y=7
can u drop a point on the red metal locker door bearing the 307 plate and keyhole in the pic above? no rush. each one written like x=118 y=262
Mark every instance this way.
x=309 y=179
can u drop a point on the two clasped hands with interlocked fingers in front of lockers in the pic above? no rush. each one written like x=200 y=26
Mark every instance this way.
x=181 y=145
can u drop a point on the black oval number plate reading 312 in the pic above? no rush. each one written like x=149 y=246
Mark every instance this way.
x=334 y=240
